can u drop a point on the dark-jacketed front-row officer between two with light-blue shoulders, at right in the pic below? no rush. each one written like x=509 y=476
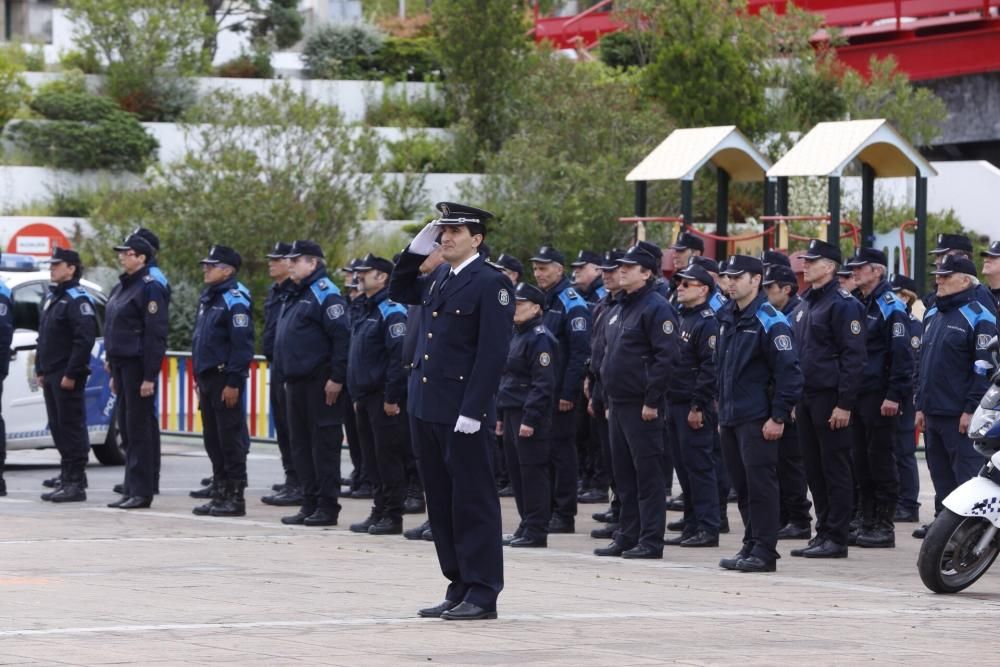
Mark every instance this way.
x=830 y=334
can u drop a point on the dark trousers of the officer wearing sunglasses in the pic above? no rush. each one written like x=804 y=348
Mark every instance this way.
x=695 y=463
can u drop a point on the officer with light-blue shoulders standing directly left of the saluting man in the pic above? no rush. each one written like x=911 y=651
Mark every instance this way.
x=377 y=383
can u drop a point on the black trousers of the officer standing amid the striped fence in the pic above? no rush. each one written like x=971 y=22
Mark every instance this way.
x=224 y=429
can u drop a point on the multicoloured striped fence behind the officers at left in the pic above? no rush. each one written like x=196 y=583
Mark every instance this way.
x=177 y=401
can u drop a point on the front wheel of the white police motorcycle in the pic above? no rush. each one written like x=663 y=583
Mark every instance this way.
x=947 y=562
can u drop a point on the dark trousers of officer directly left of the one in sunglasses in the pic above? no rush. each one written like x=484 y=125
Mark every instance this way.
x=636 y=450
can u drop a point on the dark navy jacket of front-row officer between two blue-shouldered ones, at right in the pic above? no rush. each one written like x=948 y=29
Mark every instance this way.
x=829 y=332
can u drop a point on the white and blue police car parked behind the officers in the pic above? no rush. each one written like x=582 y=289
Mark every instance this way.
x=23 y=402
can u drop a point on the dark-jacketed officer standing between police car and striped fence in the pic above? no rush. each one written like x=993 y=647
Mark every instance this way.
x=135 y=341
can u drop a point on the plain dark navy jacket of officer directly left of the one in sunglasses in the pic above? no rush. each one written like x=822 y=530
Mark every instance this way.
x=641 y=333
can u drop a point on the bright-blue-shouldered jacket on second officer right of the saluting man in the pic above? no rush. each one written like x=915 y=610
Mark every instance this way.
x=567 y=316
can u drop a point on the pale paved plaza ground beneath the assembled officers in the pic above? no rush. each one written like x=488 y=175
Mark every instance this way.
x=87 y=585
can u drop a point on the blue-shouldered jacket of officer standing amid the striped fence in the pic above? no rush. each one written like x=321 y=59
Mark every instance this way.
x=223 y=332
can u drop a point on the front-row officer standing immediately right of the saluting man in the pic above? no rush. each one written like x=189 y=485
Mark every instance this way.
x=524 y=407
